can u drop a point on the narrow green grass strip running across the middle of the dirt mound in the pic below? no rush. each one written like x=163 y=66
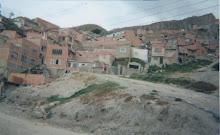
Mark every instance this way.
x=108 y=86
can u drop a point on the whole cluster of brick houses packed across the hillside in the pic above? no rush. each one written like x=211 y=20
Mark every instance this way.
x=57 y=50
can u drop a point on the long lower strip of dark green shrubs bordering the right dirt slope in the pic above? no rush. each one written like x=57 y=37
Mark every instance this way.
x=199 y=86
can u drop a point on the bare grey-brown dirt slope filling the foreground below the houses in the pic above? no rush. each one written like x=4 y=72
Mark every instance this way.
x=137 y=107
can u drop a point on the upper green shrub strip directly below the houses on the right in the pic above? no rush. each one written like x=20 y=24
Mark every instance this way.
x=189 y=67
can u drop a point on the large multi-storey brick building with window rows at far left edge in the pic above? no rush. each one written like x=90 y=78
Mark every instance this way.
x=18 y=55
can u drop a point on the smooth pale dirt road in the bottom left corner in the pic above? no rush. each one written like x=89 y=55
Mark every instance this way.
x=15 y=126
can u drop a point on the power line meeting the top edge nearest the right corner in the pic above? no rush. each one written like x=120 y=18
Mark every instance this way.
x=156 y=13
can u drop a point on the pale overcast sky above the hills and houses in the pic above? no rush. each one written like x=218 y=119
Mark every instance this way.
x=109 y=13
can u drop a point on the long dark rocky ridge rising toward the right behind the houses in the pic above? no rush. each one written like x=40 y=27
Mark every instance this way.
x=186 y=23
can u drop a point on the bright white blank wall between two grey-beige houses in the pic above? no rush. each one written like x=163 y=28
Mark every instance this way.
x=140 y=54
